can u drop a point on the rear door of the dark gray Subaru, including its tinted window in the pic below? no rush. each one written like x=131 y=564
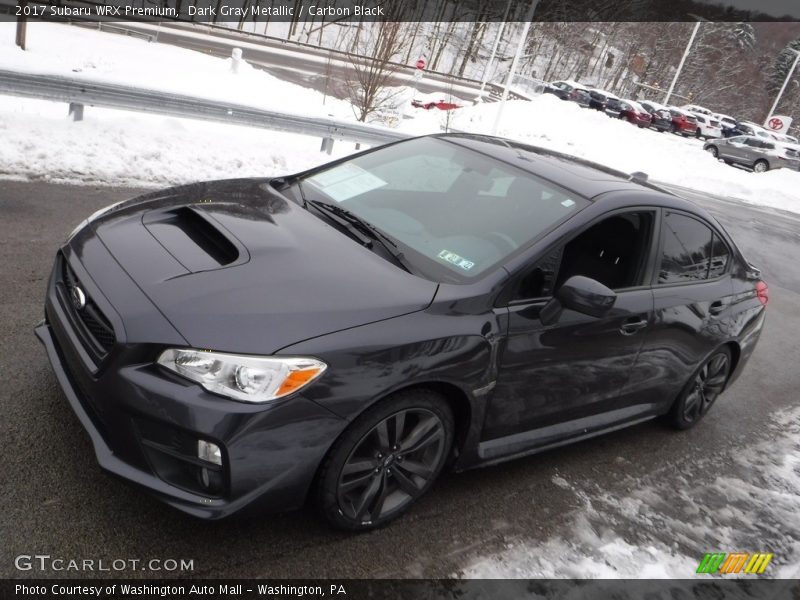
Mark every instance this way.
x=692 y=290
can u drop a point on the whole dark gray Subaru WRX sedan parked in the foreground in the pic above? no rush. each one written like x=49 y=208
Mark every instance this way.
x=344 y=334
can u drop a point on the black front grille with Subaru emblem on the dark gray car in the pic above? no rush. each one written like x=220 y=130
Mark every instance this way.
x=92 y=326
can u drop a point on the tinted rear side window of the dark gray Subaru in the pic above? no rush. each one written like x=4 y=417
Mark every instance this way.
x=689 y=251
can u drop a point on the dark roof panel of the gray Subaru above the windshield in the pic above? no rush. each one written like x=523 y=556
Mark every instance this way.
x=583 y=177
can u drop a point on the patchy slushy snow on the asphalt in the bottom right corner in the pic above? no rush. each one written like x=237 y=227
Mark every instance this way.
x=675 y=521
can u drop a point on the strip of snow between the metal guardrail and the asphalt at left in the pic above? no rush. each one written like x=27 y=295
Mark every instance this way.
x=38 y=142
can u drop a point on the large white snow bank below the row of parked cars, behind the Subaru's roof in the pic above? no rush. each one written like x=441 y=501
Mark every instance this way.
x=566 y=127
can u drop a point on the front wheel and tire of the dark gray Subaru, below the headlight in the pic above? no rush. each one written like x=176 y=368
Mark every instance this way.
x=373 y=473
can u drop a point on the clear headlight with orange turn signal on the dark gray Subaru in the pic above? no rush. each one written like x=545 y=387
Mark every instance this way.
x=245 y=378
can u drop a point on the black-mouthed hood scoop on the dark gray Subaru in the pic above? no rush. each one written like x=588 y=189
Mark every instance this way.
x=194 y=238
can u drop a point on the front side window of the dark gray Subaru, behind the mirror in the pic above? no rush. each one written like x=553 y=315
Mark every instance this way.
x=613 y=252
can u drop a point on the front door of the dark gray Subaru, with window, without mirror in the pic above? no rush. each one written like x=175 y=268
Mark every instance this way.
x=552 y=380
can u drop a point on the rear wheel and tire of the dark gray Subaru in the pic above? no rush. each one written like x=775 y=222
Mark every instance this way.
x=703 y=388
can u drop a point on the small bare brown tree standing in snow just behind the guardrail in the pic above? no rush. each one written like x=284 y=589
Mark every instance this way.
x=368 y=80
